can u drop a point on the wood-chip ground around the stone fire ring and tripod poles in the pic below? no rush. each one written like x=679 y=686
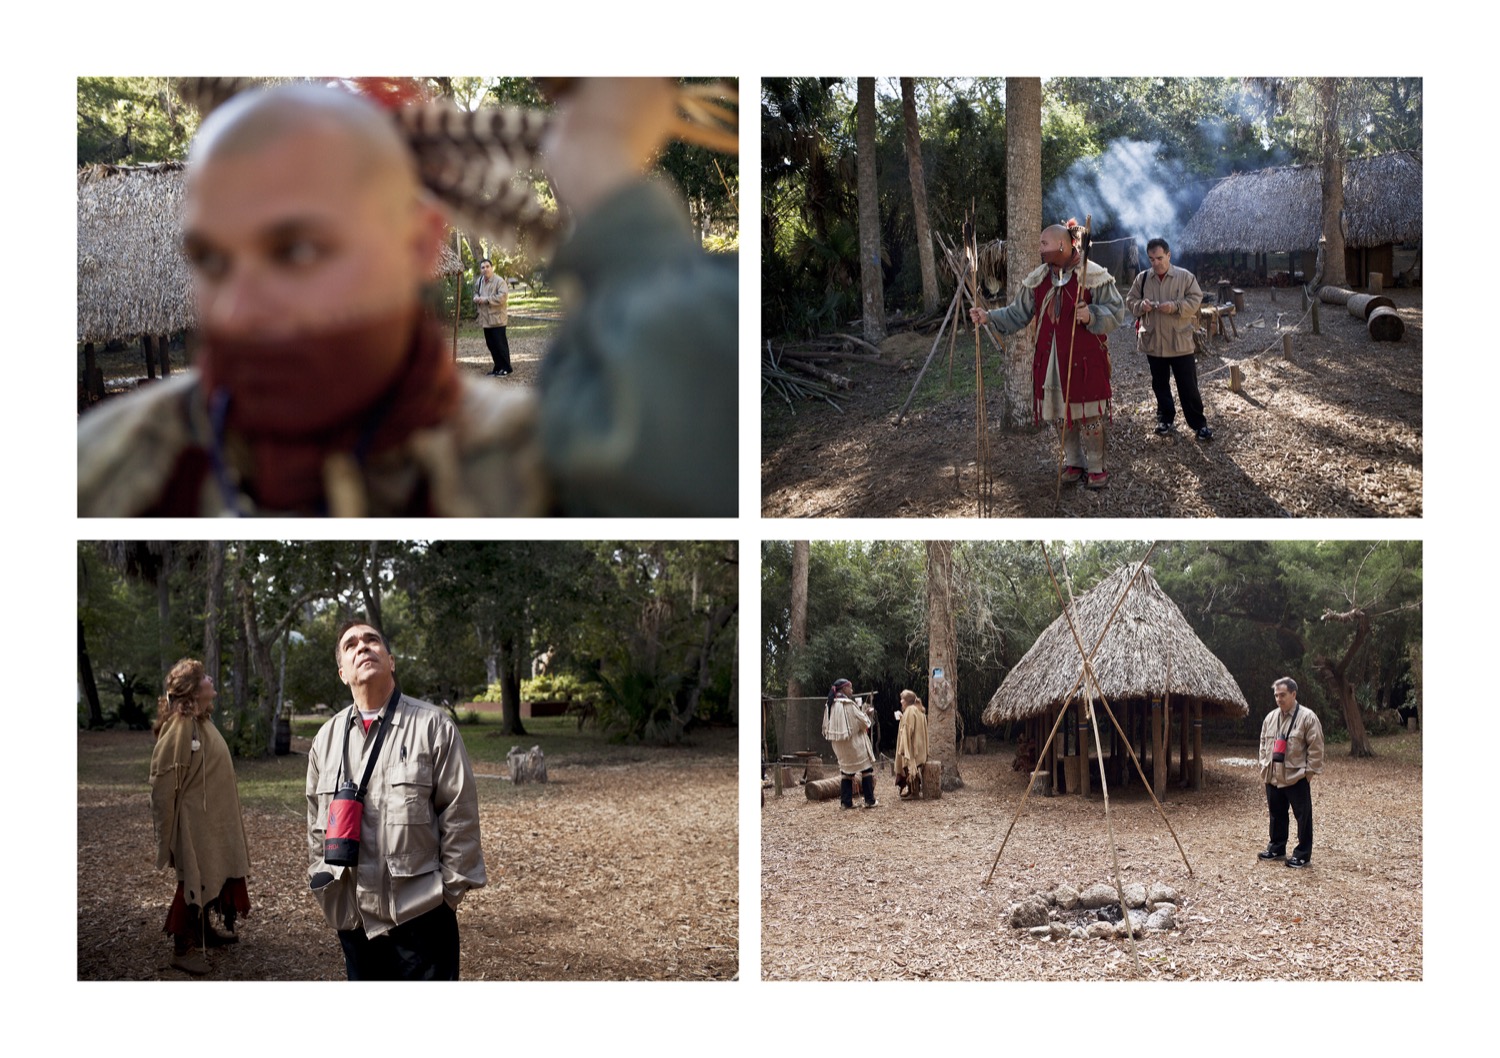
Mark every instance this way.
x=896 y=892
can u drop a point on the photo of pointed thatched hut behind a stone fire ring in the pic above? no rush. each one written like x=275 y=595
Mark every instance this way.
x=1091 y=760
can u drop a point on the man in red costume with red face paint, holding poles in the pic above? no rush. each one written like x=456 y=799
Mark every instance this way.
x=1072 y=368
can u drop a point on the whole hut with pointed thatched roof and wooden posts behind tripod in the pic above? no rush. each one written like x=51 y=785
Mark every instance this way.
x=1156 y=673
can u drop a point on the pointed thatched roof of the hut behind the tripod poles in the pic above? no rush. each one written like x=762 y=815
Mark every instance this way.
x=1148 y=636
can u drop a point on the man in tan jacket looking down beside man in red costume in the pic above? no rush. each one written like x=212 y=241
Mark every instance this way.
x=1166 y=301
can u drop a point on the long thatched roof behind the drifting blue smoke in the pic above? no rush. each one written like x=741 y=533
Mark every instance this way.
x=1280 y=209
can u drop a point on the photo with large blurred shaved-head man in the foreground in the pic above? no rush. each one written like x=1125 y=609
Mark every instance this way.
x=380 y=296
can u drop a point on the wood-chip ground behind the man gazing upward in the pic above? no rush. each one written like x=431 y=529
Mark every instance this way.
x=625 y=871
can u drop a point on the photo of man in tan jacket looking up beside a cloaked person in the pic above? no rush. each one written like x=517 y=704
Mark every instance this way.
x=314 y=760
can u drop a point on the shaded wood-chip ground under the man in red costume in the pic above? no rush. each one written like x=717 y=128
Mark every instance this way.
x=1334 y=433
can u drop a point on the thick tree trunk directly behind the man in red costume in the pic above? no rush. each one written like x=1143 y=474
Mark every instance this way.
x=1022 y=226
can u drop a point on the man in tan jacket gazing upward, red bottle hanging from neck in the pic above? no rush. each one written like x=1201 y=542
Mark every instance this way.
x=419 y=844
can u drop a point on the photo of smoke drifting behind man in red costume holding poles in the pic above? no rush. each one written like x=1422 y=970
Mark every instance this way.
x=1093 y=298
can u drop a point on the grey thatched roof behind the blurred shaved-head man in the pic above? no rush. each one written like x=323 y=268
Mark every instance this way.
x=133 y=277
